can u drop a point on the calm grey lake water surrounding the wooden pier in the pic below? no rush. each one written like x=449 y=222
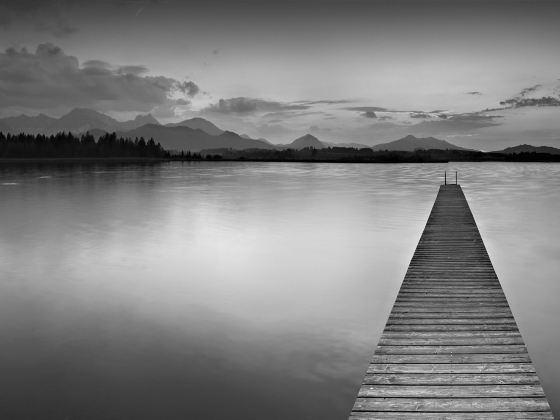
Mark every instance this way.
x=238 y=290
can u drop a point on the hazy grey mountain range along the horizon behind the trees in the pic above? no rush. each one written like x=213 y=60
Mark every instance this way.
x=197 y=134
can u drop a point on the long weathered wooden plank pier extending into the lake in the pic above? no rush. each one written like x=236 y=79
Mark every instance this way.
x=451 y=348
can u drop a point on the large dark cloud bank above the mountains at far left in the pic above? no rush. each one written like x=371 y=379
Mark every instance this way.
x=51 y=79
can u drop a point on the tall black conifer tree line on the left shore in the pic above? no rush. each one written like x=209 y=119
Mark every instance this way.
x=68 y=145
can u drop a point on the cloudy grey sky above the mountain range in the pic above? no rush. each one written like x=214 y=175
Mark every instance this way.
x=345 y=71
